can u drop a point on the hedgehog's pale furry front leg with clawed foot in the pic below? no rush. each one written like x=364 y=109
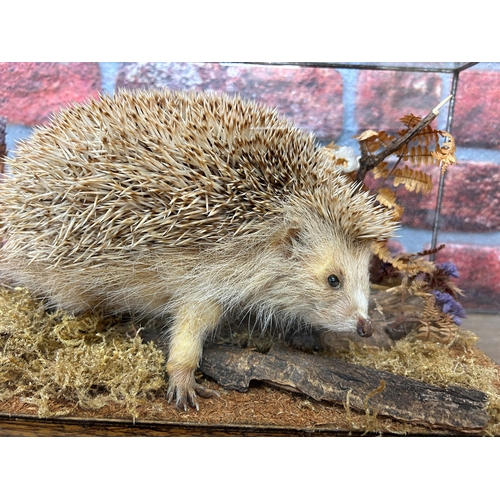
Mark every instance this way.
x=191 y=326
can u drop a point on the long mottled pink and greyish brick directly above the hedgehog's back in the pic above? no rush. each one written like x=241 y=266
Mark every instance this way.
x=311 y=97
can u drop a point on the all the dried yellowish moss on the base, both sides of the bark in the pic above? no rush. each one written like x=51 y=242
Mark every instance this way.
x=62 y=363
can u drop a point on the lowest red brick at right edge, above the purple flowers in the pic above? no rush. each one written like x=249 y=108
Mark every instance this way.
x=479 y=269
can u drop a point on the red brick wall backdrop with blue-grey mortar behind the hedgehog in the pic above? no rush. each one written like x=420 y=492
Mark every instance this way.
x=336 y=104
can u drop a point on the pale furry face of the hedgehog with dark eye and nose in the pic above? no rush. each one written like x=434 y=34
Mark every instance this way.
x=328 y=278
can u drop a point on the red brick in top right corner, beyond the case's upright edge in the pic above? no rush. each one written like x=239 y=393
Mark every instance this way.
x=477 y=109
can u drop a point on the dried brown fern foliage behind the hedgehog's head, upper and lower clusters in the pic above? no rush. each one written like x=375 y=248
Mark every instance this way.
x=412 y=275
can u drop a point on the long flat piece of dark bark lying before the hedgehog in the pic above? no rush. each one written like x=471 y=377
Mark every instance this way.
x=332 y=380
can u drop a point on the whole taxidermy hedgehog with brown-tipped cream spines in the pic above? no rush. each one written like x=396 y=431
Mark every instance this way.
x=193 y=208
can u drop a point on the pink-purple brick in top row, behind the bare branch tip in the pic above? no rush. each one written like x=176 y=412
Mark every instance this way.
x=385 y=96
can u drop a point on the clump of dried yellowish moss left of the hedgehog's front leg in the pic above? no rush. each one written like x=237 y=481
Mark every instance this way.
x=86 y=361
